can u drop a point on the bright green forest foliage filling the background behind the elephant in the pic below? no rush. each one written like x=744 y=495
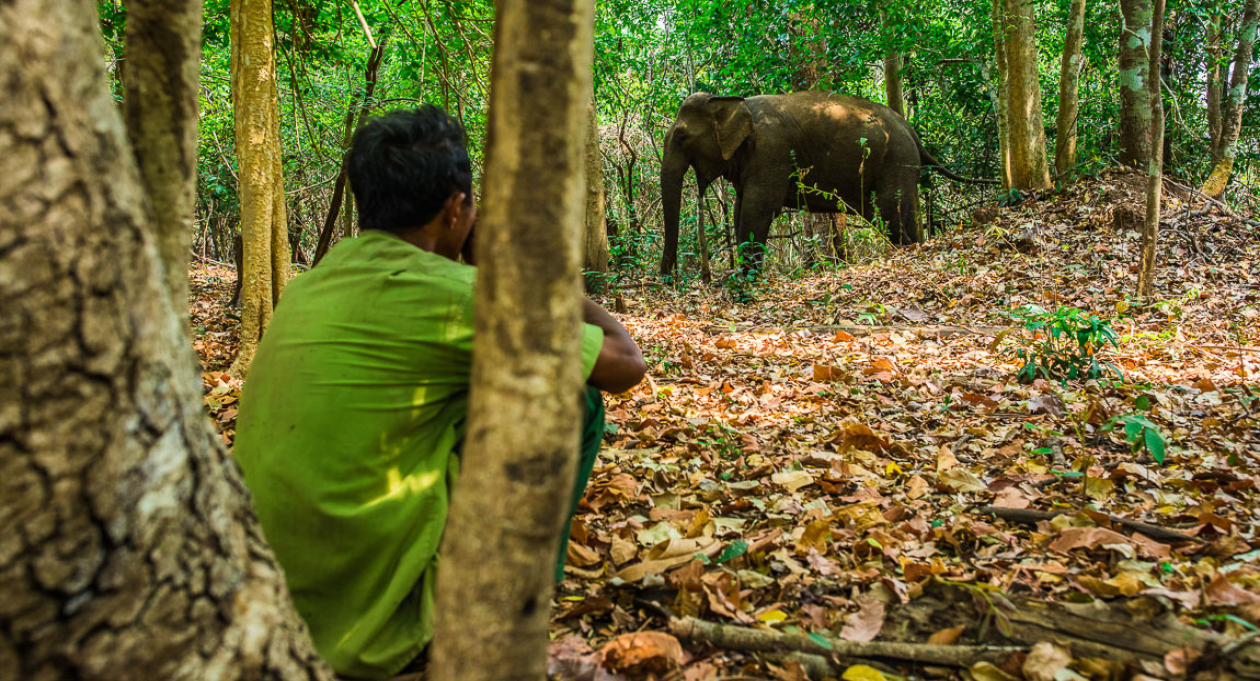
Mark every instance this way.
x=650 y=55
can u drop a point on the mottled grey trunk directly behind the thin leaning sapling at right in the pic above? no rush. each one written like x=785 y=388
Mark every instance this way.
x=1135 y=78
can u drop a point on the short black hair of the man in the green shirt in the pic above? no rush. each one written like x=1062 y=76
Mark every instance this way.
x=404 y=166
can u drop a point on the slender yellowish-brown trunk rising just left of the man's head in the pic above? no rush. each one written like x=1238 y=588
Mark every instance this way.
x=256 y=113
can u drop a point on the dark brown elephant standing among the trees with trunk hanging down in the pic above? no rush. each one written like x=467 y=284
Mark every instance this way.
x=842 y=148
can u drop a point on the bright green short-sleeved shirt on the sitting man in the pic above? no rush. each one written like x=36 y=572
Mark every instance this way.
x=347 y=436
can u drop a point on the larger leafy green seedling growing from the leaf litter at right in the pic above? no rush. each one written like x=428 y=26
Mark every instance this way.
x=1064 y=345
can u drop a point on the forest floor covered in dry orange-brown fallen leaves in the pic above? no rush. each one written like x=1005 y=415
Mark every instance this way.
x=851 y=456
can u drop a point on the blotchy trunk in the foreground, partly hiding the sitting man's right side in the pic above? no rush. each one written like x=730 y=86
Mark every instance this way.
x=521 y=450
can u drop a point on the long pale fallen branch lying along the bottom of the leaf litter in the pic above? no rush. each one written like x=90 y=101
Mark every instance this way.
x=743 y=639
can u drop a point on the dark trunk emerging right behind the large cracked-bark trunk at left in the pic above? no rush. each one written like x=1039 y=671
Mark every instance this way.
x=159 y=107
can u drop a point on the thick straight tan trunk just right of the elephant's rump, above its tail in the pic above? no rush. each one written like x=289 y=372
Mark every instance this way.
x=1030 y=170
